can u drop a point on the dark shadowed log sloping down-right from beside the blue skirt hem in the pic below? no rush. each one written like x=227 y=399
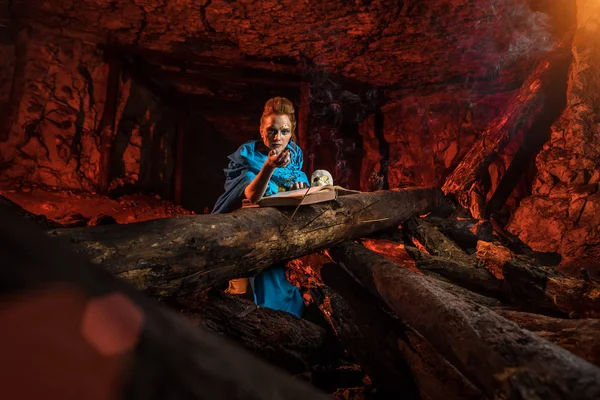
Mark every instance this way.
x=391 y=353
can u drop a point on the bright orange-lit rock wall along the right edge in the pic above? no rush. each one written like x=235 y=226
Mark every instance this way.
x=563 y=214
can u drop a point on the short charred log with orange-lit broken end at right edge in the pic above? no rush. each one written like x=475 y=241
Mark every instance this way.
x=540 y=288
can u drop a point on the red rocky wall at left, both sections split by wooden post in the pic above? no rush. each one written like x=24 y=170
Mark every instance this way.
x=57 y=95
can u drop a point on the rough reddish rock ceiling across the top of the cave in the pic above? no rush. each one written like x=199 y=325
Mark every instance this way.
x=385 y=43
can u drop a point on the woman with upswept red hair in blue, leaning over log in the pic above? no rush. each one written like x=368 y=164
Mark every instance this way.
x=266 y=167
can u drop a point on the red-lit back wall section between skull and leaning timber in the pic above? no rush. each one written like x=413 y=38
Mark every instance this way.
x=427 y=136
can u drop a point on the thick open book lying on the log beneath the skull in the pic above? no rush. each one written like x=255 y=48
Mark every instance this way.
x=316 y=194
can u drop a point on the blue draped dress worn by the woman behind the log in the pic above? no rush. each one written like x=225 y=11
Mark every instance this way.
x=271 y=287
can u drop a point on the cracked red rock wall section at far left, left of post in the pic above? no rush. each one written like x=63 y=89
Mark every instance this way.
x=52 y=139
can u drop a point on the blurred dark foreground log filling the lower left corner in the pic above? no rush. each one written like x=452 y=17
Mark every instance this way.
x=71 y=329
